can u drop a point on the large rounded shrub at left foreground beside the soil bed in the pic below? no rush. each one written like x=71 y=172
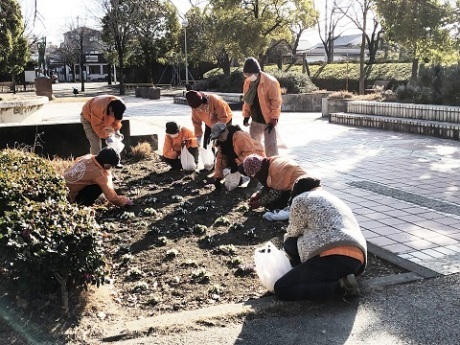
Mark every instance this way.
x=43 y=237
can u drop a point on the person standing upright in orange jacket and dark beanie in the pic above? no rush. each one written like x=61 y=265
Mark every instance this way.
x=262 y=103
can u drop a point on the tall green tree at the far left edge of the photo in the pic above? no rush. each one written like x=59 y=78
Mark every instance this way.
x=14 y=50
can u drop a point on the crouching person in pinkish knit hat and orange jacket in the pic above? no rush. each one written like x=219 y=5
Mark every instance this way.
x=277 y=175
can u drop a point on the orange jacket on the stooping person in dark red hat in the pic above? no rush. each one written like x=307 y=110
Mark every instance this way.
x=216 y=110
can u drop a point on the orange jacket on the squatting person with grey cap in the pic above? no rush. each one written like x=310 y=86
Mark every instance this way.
x=243 y=145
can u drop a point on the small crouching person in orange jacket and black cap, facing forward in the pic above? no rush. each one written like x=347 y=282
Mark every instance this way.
x=176 y=137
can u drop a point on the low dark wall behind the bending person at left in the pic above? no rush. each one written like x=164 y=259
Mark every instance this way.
x=60 y=139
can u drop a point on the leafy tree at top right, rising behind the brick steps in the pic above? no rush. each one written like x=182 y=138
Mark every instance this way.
x=409 y=22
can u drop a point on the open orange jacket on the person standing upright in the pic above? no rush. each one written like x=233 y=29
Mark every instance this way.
x=269 y=93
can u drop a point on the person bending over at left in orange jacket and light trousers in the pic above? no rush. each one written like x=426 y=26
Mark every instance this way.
x=101 y=117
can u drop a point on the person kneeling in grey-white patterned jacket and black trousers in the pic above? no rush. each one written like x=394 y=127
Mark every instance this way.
x=325 y=244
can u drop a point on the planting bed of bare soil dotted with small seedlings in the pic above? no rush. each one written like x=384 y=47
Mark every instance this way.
x=183 y=245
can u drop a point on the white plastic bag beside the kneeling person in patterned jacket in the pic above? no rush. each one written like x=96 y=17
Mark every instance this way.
x=271 y=264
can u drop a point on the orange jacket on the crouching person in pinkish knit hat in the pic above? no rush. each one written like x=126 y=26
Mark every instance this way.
x=282 y=173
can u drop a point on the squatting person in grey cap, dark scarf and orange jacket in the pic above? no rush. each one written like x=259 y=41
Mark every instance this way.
x=233 y=146
